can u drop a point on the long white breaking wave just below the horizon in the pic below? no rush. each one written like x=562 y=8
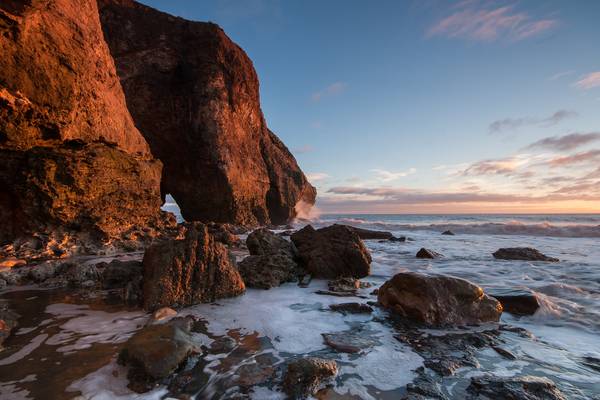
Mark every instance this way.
x=482 y=228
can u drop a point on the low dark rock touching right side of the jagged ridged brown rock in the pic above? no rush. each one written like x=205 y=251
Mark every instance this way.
x=268 y=271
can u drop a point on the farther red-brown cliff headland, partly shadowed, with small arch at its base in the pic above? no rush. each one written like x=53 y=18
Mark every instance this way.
x=194 y=95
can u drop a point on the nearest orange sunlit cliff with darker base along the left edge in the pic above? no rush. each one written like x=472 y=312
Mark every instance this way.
x=70 y=155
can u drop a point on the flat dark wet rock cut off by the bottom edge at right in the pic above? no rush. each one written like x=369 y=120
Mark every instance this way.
x=517 y=388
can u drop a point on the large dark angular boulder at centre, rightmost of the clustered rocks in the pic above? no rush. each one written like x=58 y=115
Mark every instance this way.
x=332 y=252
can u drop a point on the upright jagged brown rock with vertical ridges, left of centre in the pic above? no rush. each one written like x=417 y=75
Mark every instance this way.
x=191 y=270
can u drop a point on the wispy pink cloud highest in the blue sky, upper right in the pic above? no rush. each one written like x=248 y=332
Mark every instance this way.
x=473 y=22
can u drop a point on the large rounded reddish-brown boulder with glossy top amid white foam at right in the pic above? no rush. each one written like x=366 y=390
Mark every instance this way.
x=438 y=300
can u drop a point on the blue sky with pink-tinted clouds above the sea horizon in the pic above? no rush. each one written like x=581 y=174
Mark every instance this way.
x=428 y=106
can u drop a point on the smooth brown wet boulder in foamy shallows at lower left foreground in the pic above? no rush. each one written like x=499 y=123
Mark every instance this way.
x=156 y=351
